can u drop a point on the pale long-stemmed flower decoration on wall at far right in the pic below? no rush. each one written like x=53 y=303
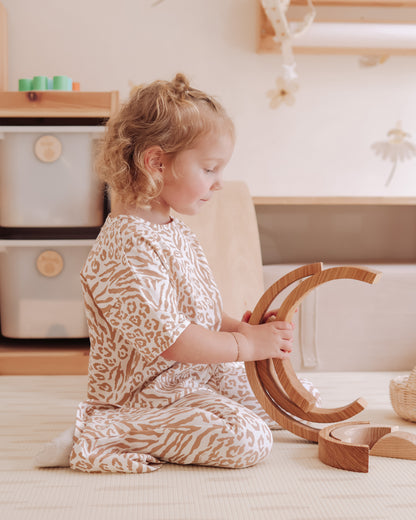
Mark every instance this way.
x=395 y=149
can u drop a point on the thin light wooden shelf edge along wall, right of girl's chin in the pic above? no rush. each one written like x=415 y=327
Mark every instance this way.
x=329 y=201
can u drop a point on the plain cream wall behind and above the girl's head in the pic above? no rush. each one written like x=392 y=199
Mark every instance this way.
x=320 y=146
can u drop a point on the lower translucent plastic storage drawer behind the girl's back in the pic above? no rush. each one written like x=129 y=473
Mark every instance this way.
x=41 y=294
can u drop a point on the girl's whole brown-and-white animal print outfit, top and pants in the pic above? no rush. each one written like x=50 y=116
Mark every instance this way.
x=143 y=285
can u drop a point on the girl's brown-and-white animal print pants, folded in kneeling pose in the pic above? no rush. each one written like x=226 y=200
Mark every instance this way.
x=220 y=424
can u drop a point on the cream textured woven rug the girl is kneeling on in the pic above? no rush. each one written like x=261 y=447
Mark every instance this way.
x=292 y=484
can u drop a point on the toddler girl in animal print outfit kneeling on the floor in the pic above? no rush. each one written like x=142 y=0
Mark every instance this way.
x=166 y=381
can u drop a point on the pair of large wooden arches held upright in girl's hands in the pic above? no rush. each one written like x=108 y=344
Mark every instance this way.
x=274 y=382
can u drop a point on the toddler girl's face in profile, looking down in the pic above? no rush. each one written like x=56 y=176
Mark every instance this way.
x=194 y=174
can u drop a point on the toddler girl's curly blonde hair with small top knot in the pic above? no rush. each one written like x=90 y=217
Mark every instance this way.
x=168 y=114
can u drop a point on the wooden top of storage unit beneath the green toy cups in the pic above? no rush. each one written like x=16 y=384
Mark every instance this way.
x=58 y=104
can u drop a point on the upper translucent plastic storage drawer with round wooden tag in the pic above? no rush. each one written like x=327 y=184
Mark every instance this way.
x=47 y=177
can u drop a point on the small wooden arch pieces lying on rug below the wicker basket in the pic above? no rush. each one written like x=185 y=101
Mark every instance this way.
x=349 y=445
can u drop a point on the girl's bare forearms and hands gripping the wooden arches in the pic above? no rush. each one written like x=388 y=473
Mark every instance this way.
x=237 y=341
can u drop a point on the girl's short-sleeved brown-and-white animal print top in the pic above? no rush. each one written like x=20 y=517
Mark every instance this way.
x=143 y=284
